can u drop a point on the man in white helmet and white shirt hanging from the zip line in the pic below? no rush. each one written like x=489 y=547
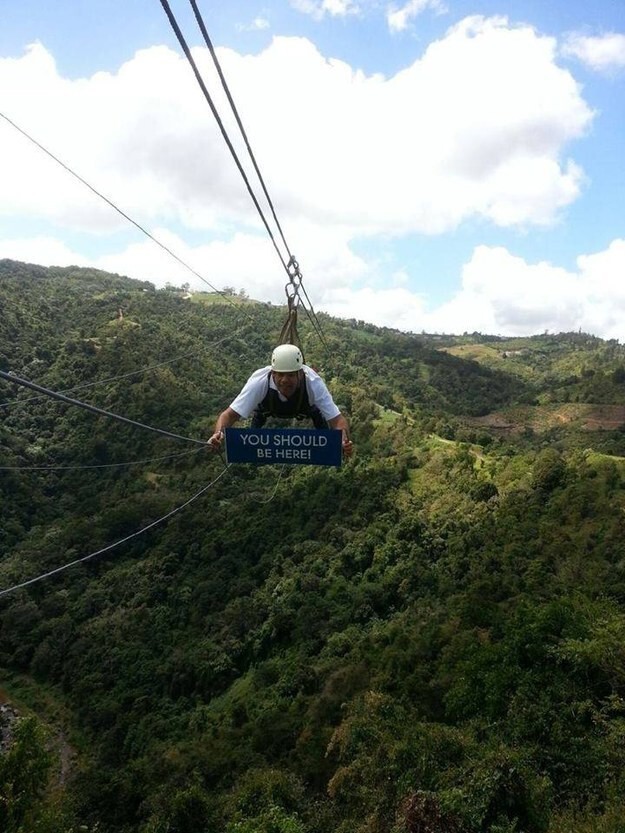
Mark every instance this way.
x=285 y=388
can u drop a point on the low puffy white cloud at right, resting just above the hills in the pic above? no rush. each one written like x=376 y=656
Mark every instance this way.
x=503 y=294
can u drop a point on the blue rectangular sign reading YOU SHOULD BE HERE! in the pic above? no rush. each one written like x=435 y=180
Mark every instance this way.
x=294 y=446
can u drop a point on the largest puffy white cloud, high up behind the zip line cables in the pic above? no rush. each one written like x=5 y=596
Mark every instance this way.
x=476 y=128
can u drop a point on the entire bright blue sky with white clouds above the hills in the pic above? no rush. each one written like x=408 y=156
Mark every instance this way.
x=440 y=166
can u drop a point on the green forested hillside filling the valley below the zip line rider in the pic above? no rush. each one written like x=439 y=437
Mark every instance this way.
x=426 y=640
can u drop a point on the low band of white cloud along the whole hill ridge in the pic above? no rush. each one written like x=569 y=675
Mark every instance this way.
x=500 y=292
